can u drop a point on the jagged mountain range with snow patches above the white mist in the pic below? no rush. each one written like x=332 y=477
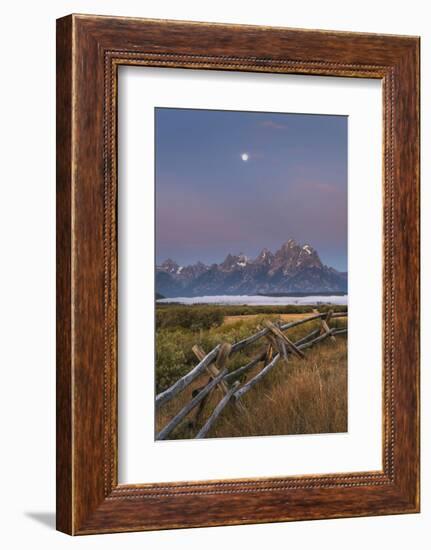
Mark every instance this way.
x=292 y=268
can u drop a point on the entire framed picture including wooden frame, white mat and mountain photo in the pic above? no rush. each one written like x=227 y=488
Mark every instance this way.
x=237 y=274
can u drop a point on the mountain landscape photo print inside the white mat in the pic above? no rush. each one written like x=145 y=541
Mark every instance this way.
x=251 y=273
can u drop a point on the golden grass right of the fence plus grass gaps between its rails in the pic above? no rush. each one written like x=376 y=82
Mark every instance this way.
x=298 y=397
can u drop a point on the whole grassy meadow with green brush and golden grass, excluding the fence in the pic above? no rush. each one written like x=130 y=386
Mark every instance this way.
x=298 y=397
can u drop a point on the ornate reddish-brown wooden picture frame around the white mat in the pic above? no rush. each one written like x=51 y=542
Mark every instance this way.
x=89 y=51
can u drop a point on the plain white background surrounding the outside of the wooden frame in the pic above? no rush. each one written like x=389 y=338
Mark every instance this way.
x=27 y=297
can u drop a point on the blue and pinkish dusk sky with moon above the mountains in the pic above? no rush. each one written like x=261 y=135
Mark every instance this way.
x=236 y=182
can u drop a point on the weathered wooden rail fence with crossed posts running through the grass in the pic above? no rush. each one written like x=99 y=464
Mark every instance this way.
x=278 y=346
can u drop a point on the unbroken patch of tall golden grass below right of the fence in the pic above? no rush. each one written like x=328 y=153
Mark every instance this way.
x=300 y=397
